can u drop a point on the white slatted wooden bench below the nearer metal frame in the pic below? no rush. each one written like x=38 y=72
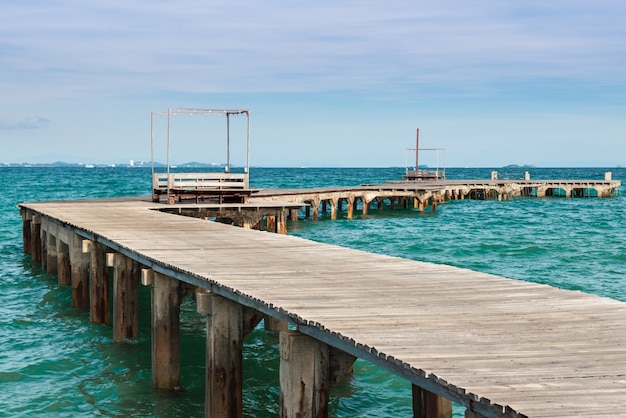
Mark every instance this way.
x=229 y=187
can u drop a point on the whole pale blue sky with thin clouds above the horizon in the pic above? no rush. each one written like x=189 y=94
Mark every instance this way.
x=327 y=83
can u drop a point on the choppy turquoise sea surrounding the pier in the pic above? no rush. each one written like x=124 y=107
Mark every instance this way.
x=55 y=363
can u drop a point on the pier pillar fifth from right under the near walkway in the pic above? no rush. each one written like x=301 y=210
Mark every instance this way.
x=126 y=276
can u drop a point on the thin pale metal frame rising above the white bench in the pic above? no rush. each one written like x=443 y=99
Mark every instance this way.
x=195 y=111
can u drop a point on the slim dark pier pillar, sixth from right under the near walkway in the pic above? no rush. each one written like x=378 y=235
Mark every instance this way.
x=99 y=284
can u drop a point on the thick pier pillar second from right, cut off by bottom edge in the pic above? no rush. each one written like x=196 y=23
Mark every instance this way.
x=304 y=376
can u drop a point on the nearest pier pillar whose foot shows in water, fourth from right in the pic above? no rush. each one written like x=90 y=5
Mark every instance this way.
x=165 y=332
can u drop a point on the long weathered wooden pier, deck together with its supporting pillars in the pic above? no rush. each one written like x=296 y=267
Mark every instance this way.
x=498 y=347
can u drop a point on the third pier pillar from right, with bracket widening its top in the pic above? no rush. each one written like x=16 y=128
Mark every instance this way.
x=228 y=322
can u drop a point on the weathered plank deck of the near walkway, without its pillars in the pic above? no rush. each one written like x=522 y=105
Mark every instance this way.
x=499 y=347
